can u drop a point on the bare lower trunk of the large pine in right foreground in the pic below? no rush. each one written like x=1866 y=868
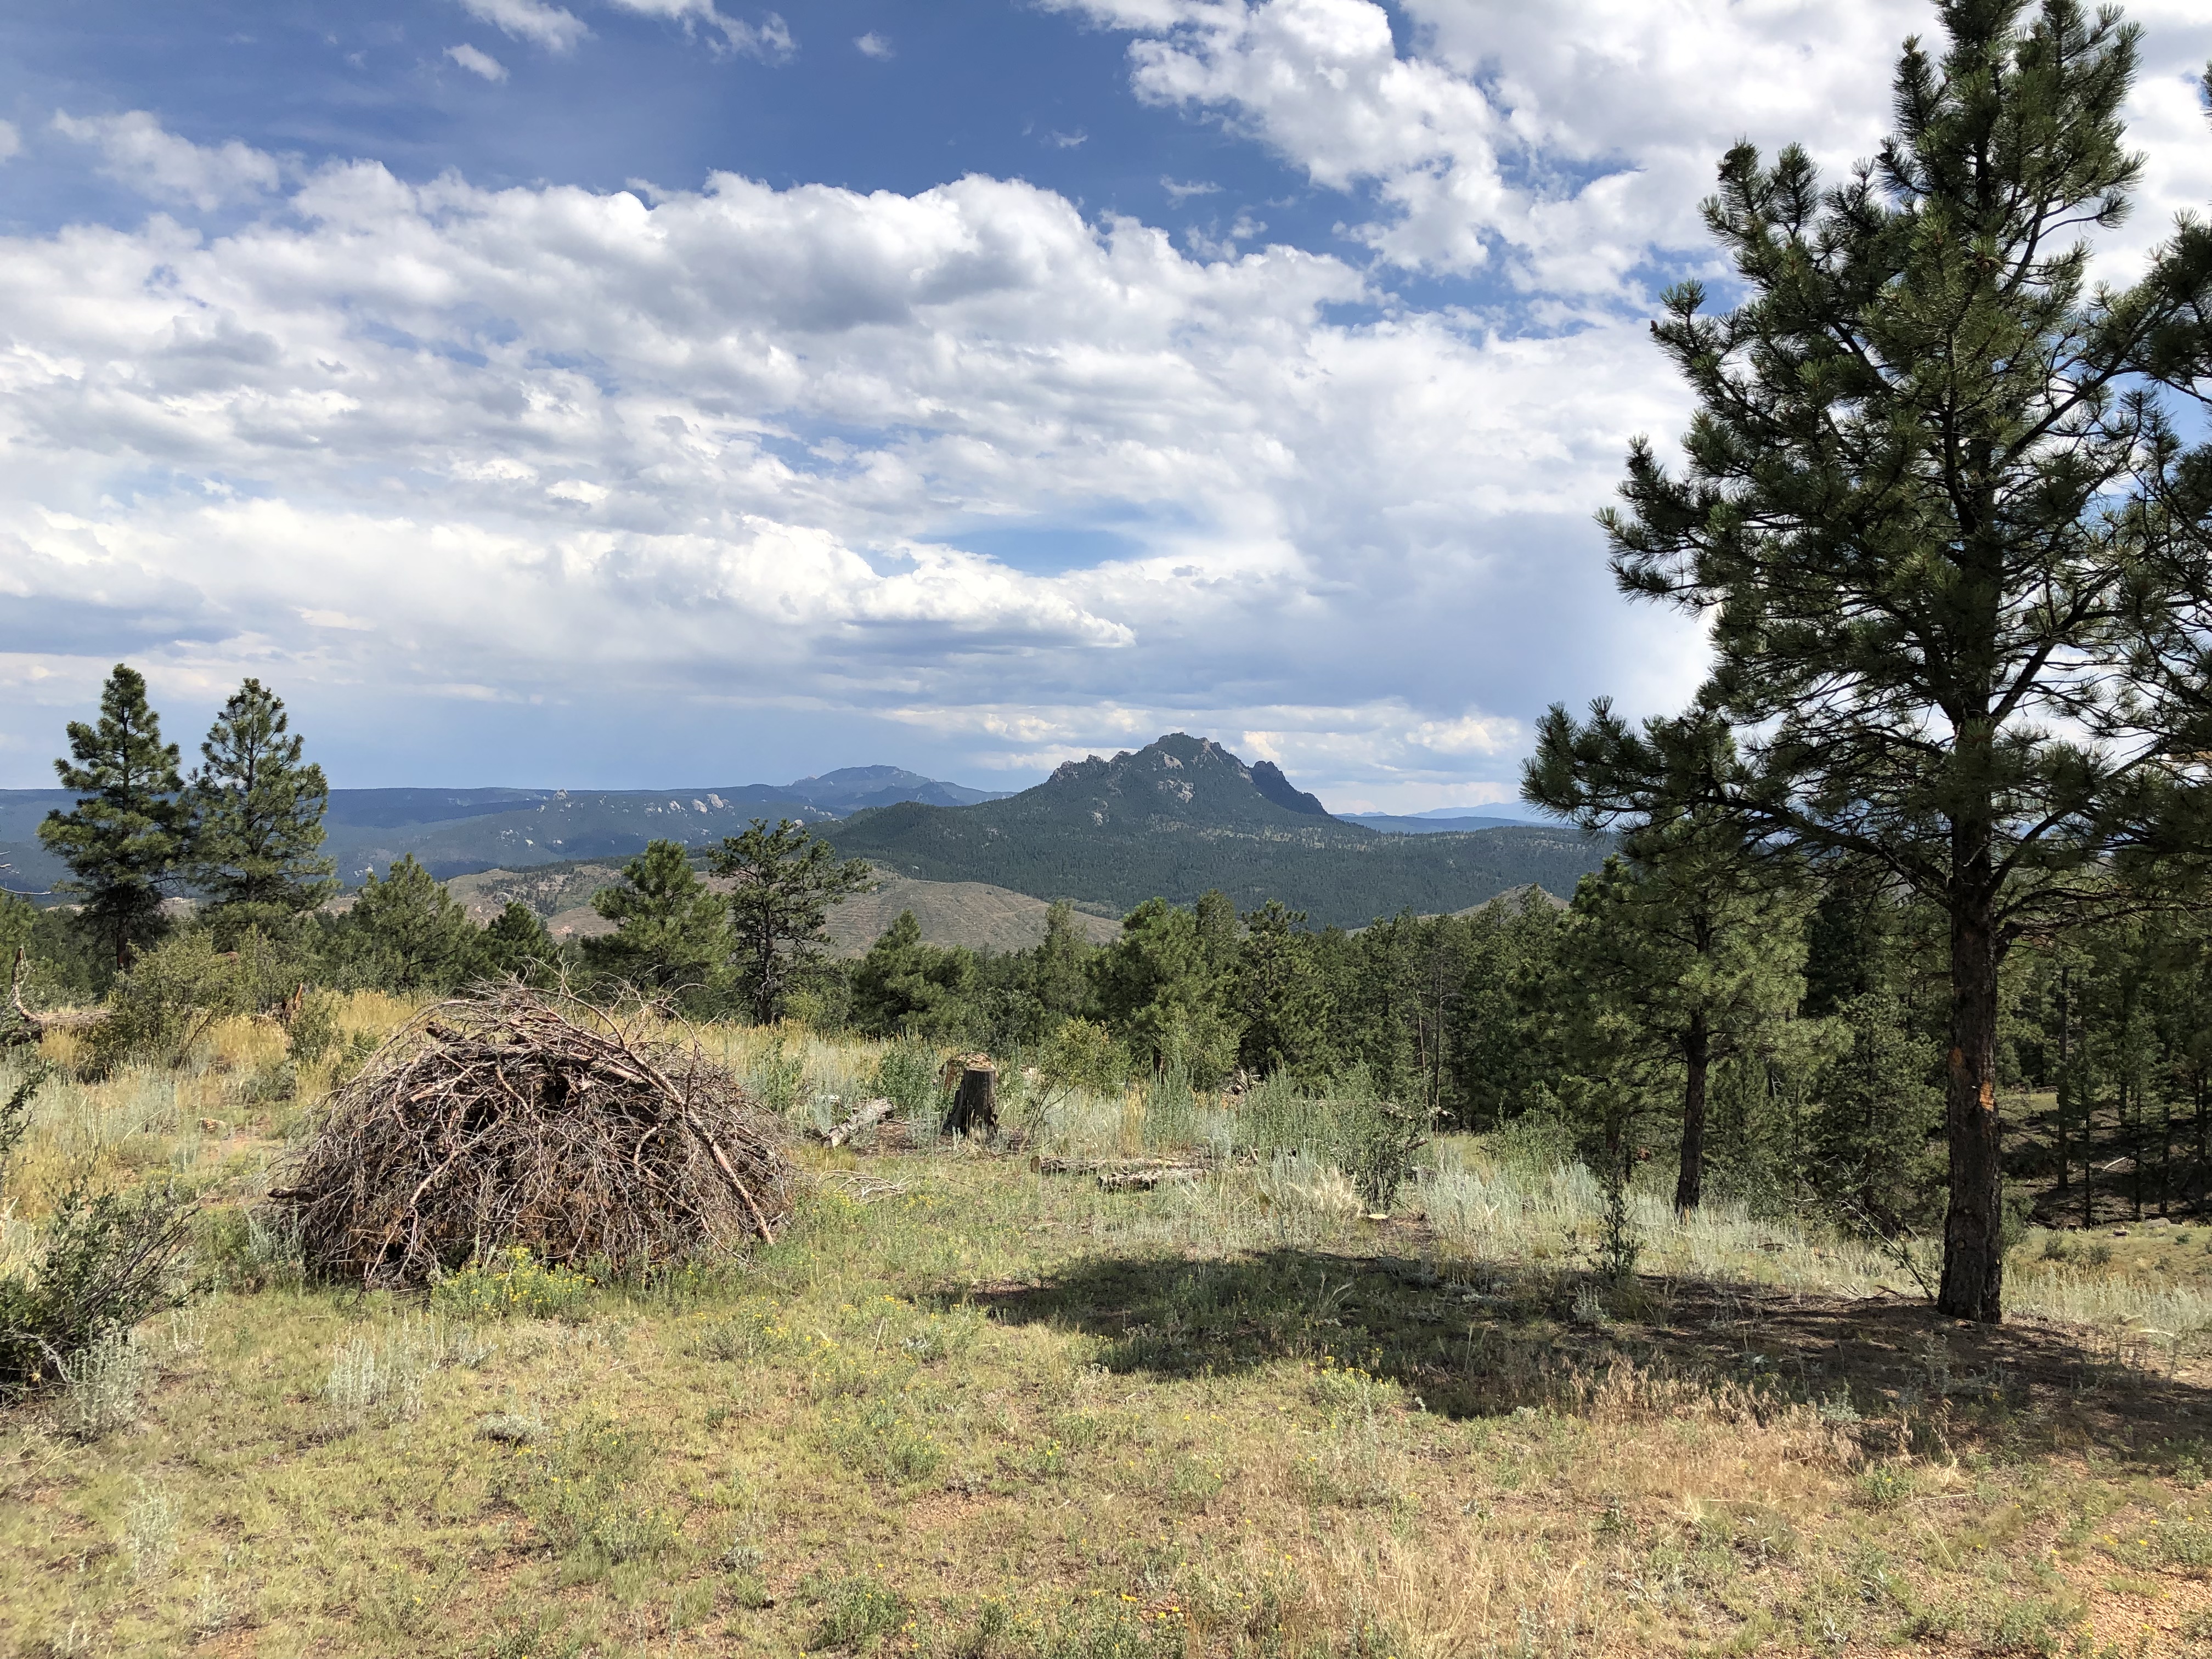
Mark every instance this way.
x=1972 y=1244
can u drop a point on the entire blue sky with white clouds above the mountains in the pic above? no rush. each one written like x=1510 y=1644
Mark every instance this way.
x=680 y=393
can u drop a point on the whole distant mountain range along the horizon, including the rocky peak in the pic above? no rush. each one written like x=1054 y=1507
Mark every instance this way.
x=1171 y=820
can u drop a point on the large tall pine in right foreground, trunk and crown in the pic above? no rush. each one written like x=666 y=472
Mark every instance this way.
x=1923 y=510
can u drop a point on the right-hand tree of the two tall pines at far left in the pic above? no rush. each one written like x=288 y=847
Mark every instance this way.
x=258 y=820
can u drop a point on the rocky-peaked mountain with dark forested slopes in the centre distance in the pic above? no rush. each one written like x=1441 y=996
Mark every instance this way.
x=1185 y=815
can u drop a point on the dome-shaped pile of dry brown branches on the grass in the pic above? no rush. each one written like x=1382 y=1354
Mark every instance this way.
x=517 y=1118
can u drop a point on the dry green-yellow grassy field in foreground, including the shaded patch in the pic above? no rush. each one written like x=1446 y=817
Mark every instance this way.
x=968 y=1408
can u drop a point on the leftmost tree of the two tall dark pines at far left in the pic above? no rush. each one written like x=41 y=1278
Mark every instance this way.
x=127 y=833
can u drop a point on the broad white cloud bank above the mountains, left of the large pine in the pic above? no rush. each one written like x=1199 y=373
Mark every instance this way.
x=766 y=444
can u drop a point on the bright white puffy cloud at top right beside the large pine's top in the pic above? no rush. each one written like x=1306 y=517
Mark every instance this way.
x=1563 y=145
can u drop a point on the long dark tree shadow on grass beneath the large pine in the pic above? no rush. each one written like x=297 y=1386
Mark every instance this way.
x=1492 y=1339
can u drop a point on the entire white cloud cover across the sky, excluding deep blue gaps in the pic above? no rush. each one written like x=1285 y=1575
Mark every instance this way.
x=961 y=463
